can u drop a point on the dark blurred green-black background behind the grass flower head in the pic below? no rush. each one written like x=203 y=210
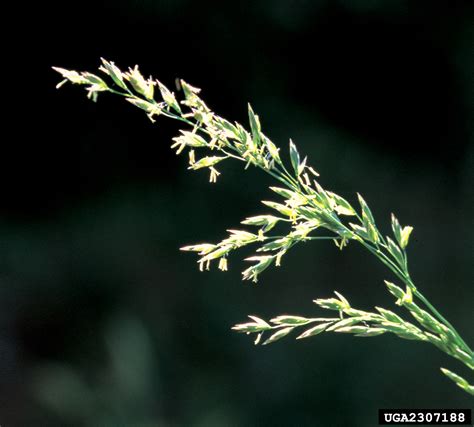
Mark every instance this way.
x=103 y=322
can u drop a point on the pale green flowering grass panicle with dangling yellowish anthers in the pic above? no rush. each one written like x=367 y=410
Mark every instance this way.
x=309 y=212
